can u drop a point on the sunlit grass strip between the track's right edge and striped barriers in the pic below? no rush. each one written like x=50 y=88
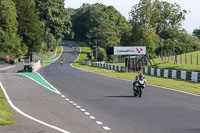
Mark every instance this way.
x=165 y=82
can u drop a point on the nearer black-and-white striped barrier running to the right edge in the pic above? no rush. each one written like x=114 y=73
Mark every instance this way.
x=175 y=74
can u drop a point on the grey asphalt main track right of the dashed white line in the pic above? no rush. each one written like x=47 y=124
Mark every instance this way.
x=111 y=101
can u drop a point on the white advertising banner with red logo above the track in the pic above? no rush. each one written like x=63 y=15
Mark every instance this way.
x=134 y=50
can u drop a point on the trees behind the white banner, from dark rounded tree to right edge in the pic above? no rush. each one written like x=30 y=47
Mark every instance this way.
x=154 y=24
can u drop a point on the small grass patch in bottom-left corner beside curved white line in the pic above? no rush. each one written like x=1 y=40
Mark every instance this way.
x=6 y=117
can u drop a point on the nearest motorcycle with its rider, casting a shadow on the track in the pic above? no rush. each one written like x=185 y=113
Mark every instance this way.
x=137 y=88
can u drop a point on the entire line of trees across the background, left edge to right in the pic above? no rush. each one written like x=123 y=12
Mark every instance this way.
x=39 y=25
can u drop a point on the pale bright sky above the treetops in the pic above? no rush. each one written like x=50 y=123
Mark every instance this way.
x=124 y=7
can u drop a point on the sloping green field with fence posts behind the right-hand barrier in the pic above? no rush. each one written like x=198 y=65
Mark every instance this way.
x=168 y=63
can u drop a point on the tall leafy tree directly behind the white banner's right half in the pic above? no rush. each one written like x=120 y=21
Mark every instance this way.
x=143 y=32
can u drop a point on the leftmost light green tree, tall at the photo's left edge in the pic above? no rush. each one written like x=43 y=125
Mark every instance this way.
x=9 y=40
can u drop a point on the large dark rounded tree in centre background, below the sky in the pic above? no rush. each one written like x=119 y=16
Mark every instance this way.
x=88 y=17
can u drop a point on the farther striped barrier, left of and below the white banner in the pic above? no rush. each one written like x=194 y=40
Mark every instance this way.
x=108 y=66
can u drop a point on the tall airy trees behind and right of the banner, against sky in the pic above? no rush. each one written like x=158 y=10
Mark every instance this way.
x=153 y=21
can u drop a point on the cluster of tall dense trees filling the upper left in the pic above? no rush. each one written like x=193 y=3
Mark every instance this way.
x=32 y=25
